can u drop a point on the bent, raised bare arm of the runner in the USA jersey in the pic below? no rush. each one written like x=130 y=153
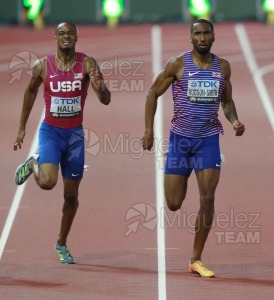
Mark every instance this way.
x=97 y=80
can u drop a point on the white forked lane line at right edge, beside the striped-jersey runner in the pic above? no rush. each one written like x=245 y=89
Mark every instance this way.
x=256 y=72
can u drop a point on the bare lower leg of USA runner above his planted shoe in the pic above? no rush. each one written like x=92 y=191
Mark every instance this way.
x=70 y=207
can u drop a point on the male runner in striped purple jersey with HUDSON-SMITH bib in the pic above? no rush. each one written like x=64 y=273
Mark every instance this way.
x=200 y=82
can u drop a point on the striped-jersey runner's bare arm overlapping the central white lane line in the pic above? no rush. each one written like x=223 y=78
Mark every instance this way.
x=170 y=74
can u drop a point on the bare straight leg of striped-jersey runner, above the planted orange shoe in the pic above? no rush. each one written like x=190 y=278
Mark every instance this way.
x=207 y=181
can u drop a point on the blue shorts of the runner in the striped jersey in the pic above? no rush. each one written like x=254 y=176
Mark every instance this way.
x=185 y=154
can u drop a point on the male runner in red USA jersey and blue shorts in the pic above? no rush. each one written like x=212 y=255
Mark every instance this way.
x=66 y=76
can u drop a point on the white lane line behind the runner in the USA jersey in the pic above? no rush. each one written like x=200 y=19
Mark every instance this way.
x=17 y=197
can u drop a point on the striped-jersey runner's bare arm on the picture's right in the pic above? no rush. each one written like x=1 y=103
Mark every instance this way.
x=227 y=102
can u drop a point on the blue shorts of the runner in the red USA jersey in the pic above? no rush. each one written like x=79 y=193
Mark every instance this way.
x=62 y=146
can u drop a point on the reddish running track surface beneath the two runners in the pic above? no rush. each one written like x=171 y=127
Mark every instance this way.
x=114 y=238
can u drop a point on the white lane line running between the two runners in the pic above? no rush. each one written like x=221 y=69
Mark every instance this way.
x=158 y=135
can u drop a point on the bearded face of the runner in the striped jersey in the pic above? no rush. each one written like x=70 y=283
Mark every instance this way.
x=202 y=37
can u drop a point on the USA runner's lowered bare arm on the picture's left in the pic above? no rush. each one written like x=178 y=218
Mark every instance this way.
x=29 y=98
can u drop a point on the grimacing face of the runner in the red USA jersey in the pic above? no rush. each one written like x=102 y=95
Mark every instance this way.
x=66 y=36
